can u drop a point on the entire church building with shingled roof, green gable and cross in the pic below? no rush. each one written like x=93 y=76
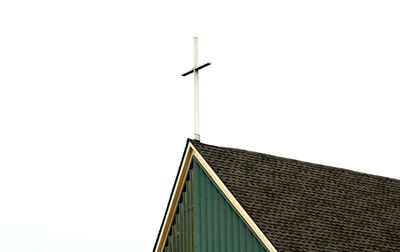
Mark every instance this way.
x=232 y=200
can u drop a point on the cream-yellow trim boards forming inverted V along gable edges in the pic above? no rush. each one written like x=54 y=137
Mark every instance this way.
x=189 y=153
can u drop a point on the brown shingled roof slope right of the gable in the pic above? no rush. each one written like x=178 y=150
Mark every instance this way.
x=302 y=206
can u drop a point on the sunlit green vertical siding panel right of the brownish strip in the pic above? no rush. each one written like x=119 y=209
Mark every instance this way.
x=218 y=227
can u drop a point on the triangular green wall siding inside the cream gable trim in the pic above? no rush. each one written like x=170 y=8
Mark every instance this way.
x=206 y=222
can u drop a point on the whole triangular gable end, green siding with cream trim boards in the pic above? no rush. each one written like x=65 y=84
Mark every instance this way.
x=202 y=214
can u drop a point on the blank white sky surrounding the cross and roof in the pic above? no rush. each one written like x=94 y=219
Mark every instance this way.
x=94 y=114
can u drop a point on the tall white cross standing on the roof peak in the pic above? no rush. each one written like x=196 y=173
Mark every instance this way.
x=195 y=71
